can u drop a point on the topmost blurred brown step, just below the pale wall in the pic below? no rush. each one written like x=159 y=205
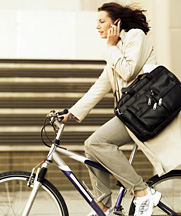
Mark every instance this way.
x=50 y=68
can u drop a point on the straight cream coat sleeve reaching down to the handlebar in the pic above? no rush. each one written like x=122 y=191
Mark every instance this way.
x=101 y=87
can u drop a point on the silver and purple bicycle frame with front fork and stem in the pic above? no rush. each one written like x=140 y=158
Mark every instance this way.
x=53 y=155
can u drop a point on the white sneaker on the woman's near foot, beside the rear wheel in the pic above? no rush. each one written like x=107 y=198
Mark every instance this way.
x=144 y=205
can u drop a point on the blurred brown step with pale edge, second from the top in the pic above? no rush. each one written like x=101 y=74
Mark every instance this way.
x=29 y=84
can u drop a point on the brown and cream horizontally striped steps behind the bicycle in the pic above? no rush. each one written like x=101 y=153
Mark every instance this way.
x=29 y=89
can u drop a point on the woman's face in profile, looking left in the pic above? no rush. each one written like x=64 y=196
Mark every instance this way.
x=103 y=23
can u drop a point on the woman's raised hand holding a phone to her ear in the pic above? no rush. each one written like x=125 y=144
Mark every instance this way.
x=113 y=34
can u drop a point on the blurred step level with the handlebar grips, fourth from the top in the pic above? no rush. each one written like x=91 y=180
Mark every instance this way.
x=21 y=117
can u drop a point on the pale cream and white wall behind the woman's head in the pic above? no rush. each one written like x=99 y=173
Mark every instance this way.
x=58 y=29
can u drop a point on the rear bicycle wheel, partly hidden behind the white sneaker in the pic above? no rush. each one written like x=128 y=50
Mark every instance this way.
x=170 y=187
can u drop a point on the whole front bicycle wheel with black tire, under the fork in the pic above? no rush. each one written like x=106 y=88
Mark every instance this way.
x=14 y=194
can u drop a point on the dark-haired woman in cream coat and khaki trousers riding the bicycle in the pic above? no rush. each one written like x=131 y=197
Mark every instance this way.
x=128 y=50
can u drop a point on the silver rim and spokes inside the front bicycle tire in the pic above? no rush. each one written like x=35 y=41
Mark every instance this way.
x=15 y=193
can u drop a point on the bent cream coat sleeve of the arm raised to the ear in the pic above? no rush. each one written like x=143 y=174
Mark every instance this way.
x=130 y=55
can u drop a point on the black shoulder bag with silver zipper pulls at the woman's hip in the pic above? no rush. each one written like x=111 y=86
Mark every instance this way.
x=150 y=103
